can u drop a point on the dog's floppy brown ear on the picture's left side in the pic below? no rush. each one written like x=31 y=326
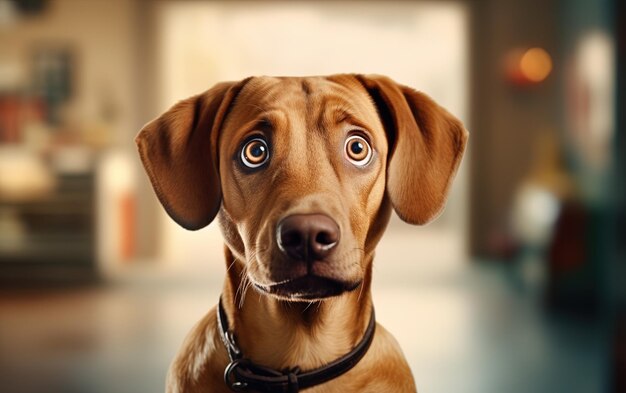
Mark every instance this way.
x=179 y=153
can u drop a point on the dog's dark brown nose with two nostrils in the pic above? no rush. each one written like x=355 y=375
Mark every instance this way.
x=307 y=237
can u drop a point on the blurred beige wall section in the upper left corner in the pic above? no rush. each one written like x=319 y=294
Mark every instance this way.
x=97 y=32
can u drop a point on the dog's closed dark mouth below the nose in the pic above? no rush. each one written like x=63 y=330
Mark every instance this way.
x=308 y=288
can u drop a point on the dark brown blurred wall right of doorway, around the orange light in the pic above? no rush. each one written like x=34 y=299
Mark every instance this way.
x=505 y=121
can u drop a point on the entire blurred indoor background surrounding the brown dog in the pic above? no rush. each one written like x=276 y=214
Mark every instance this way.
x=519 y=286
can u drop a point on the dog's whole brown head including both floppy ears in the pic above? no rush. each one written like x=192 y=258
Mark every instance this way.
x=303 y=172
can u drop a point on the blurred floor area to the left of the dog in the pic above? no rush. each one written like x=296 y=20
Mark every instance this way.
x=111 y=338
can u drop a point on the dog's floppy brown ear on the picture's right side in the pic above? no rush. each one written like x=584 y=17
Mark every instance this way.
x=426 y=145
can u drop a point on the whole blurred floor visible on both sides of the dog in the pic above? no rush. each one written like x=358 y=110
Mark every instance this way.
x=471 y=331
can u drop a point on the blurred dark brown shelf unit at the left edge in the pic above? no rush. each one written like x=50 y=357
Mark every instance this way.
x=54 y=237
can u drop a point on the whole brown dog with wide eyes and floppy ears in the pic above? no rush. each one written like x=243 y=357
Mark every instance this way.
x=302 y=174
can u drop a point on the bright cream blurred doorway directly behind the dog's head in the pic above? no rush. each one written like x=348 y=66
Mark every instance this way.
x=423 y=45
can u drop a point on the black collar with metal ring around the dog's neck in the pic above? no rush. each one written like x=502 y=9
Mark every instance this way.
x=242 y=374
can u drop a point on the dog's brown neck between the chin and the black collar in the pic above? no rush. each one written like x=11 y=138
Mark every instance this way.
x=281 y=334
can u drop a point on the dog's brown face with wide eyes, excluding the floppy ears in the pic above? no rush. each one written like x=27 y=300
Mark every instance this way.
x=302 y=167
